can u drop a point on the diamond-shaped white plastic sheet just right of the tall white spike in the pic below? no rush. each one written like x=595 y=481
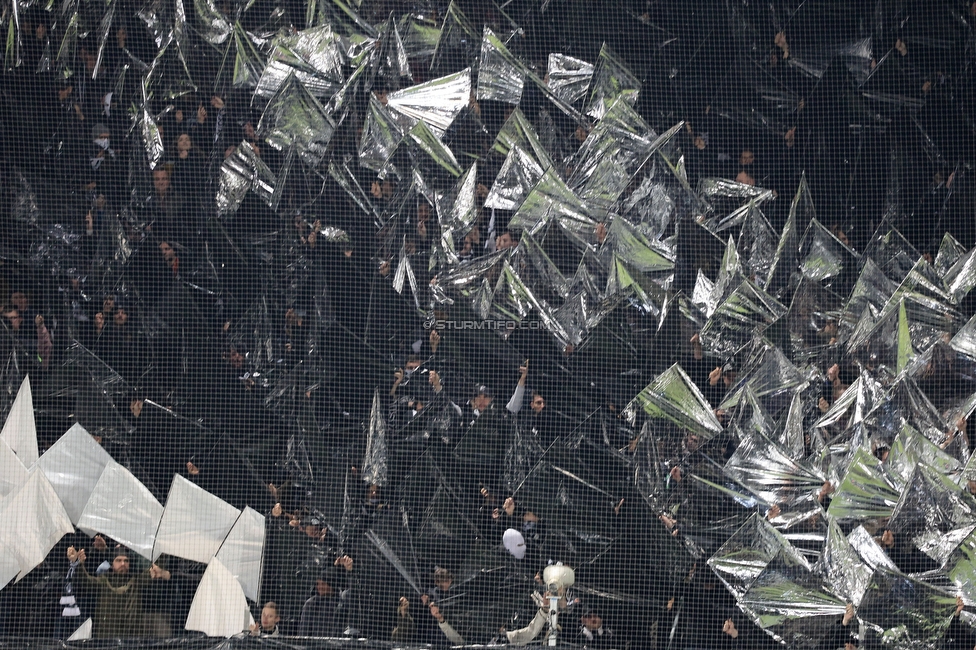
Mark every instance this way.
x=73 y=465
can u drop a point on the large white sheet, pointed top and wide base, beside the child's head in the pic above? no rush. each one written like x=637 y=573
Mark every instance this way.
x=219 y=607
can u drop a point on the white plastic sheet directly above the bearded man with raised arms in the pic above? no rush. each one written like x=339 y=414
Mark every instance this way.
x=123 y=508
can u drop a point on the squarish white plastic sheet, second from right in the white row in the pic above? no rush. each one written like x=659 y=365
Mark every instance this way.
x=194 y=523
